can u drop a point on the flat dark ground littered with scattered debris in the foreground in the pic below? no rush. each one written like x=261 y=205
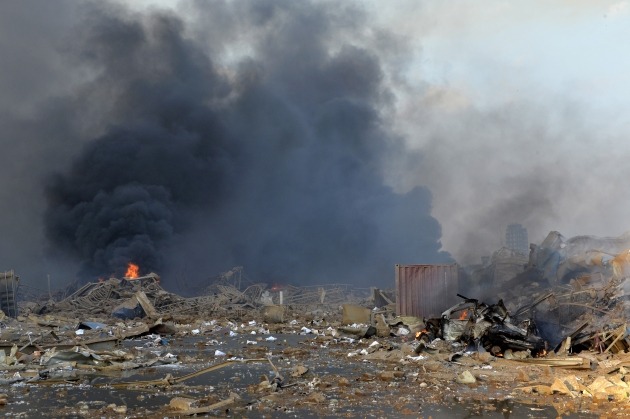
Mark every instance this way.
x=306 y=366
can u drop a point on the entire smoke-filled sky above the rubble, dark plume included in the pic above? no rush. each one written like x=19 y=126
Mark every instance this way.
x=397 y=132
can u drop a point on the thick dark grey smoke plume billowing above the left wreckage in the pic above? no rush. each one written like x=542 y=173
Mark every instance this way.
x=258 y=138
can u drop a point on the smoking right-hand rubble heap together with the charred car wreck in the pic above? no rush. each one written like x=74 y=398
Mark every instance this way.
x=570 y=292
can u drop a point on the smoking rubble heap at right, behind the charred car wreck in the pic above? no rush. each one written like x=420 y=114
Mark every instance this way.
x=572 y=289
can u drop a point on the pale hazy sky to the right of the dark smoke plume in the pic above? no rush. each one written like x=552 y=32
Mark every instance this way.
x=525 y=120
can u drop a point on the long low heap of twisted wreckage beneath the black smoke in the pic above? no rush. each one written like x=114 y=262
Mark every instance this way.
x=129 y=298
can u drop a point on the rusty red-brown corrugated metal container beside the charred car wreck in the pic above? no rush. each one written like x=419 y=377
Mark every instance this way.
x=425 y=290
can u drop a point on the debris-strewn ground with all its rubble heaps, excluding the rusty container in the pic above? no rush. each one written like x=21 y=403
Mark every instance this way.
x=552 y=340
